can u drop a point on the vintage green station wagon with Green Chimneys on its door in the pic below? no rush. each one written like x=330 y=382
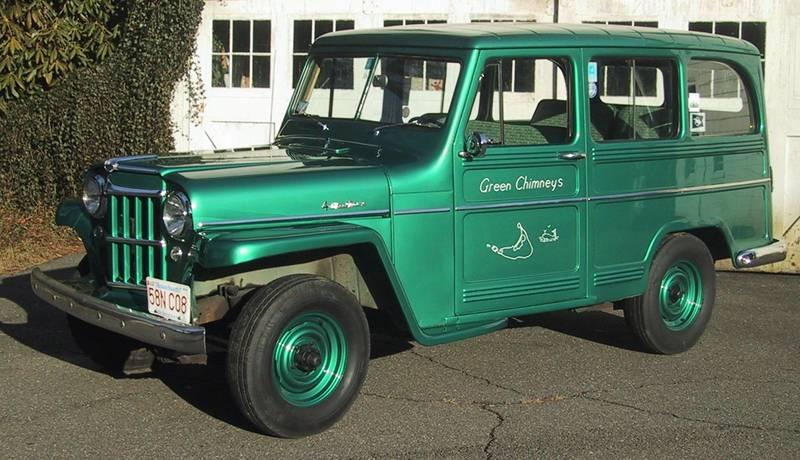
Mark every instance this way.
x=452 y=176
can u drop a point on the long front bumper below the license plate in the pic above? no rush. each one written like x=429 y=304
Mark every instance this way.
x=134 y=324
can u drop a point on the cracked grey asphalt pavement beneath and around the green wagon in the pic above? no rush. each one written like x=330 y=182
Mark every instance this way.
x=566 y=384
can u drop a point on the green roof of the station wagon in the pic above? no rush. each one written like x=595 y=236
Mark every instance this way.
x=530 y=35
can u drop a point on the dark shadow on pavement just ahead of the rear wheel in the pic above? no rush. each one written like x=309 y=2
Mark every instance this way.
x=596 y=324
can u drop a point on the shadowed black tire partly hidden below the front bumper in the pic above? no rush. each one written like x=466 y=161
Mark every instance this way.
x=108 y=349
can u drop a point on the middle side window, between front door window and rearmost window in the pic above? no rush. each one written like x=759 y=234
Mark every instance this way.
x=632 y=99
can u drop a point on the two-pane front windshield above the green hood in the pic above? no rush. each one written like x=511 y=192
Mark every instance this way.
x=387 y=90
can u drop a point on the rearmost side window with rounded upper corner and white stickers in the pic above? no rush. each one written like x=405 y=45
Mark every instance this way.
x=719 y=103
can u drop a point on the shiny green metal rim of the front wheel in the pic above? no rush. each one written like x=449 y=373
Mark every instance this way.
x=310 y=358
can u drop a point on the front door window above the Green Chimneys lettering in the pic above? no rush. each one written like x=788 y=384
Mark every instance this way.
x=523 y=101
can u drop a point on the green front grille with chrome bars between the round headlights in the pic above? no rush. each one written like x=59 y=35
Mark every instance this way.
x=134 y=242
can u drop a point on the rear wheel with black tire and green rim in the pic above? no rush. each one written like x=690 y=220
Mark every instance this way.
x=673 y=312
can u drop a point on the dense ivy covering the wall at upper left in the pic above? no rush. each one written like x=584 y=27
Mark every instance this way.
x=106 y=103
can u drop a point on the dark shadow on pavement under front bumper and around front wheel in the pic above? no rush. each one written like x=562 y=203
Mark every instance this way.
x=33 y=323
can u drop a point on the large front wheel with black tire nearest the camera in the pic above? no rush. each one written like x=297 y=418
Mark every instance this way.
x=284 y=310
